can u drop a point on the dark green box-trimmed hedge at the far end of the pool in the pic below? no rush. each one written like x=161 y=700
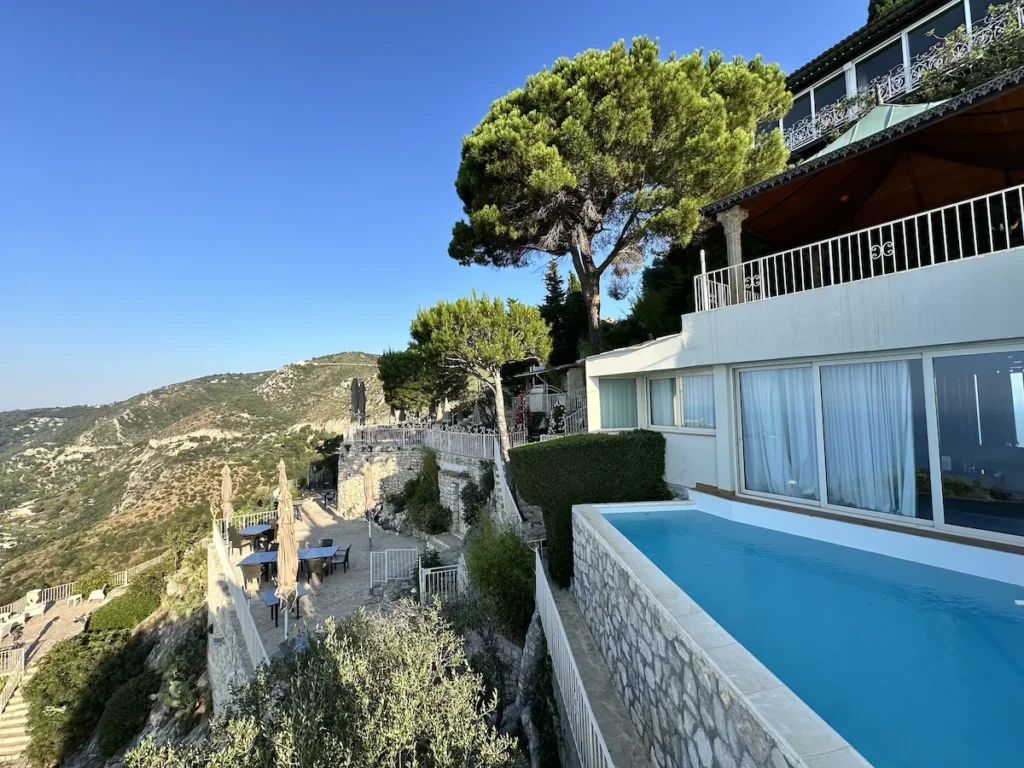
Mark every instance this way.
x=587 y=470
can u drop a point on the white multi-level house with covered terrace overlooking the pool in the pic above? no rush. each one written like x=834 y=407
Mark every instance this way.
x=873 y=367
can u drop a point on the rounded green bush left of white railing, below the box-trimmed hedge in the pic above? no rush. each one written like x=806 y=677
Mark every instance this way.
x=501 y=567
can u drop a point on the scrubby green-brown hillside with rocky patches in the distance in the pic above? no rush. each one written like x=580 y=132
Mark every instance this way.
x=83 y=485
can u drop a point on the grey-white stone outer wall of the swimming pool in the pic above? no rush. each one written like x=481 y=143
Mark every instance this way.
x=685 y=709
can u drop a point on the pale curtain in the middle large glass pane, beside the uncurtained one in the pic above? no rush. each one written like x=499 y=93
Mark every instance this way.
x=869 y=422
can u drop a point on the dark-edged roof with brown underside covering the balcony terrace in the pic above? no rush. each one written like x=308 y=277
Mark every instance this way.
x=968 y=146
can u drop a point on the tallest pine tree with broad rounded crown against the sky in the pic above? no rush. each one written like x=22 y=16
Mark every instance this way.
x=609 y=157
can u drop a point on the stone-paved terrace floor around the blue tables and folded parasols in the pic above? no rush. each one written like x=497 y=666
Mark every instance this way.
x=342 y=594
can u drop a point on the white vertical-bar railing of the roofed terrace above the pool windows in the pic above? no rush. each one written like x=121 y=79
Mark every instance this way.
x=990 y=224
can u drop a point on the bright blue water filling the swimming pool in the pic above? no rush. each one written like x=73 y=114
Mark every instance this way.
x=917 y=667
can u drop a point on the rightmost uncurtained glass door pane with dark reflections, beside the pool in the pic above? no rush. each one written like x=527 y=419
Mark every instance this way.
x=980 y=406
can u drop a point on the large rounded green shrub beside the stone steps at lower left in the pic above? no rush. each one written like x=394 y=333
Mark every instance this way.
x=70 y=691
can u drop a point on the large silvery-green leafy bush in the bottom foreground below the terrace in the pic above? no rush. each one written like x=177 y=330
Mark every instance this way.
x=379 y=690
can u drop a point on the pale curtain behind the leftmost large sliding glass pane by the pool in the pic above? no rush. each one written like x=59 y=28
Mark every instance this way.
x=780 y=449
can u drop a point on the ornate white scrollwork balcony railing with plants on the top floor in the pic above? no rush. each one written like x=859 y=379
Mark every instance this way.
x=905 y=78
